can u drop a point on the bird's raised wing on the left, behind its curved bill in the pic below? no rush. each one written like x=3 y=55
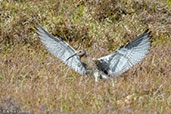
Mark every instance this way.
x=61 y=50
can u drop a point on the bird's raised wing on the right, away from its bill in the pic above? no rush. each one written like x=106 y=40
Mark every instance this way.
x=126 y=56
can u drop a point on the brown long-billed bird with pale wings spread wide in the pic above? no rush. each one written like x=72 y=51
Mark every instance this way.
x=107 y=67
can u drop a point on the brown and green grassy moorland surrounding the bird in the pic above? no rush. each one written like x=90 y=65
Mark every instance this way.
x=32 y=81
